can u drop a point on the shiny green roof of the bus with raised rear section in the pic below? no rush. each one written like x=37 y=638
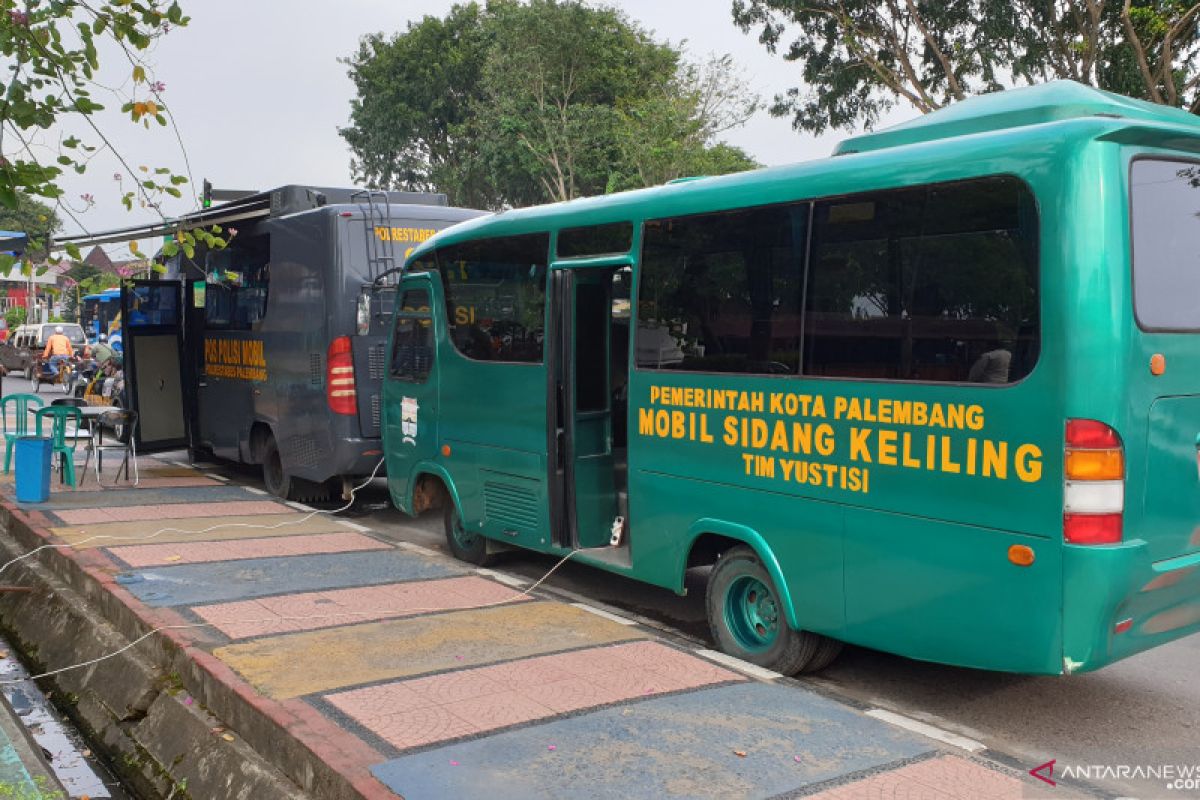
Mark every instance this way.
x=1016 y=118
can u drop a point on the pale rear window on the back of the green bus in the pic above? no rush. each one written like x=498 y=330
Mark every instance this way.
x=1165 y=203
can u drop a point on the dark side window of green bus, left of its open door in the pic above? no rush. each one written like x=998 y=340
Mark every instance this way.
x=496 y=297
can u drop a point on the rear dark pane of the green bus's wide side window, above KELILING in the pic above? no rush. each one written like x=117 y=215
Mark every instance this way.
x=933 y=284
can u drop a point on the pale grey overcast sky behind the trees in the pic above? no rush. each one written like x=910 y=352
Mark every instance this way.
x=259 y=95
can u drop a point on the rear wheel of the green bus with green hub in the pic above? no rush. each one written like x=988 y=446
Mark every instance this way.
x=747 y=617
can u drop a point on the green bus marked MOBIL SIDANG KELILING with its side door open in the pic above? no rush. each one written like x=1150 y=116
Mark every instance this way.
x=938 y=395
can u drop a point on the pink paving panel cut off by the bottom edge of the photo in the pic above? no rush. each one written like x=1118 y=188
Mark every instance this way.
x=947 y=778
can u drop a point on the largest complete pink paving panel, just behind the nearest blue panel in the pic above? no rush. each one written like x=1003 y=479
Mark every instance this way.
x=487 y=699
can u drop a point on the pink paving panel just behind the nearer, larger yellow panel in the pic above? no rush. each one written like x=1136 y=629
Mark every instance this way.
x=316 y=610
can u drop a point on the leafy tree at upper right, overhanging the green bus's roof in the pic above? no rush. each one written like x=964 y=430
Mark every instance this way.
x=861 y=58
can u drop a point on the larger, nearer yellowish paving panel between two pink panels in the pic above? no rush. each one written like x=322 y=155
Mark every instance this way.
x=320 y=661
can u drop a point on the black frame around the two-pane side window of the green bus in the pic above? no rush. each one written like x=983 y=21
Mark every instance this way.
x=640 y=244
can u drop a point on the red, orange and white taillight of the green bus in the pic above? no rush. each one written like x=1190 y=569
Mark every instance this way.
x=1094 y=484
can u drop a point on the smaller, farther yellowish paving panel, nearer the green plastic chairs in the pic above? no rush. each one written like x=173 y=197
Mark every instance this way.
x=225 y=528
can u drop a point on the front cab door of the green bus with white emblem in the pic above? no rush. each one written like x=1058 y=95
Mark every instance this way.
x=411 y=389
